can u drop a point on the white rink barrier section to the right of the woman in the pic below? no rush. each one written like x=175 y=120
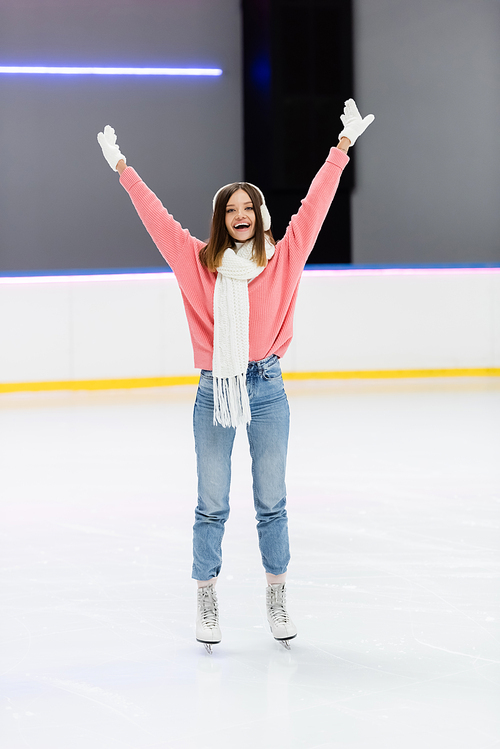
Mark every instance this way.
x=397 y=319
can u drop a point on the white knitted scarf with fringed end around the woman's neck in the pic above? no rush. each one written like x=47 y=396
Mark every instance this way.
x=231 y=336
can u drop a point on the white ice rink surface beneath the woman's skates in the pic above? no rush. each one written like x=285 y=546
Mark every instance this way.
x=394 y=505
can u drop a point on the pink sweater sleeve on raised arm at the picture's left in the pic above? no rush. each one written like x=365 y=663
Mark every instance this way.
x=167 y=234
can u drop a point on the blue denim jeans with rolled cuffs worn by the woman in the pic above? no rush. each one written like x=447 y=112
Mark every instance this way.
x=268 y=440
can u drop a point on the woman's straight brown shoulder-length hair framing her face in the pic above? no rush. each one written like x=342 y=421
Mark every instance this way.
x=220 y=239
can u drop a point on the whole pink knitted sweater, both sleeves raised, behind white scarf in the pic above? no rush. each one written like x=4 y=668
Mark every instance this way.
x=272 y=295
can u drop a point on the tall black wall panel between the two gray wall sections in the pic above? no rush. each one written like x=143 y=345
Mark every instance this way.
x=297 y=74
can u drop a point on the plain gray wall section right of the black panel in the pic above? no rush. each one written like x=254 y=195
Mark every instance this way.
x=428 y=169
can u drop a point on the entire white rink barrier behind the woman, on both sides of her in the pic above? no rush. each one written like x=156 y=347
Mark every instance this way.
x=133 y=325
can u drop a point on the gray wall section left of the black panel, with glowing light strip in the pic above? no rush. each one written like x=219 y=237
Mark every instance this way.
x=60 y=203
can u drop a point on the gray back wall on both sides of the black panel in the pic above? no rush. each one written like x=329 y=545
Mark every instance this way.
x=427 y=171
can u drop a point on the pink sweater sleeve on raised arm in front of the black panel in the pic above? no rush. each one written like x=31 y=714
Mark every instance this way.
x=305 y=225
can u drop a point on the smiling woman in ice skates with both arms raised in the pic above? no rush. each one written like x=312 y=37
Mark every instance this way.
x=239 y=293
